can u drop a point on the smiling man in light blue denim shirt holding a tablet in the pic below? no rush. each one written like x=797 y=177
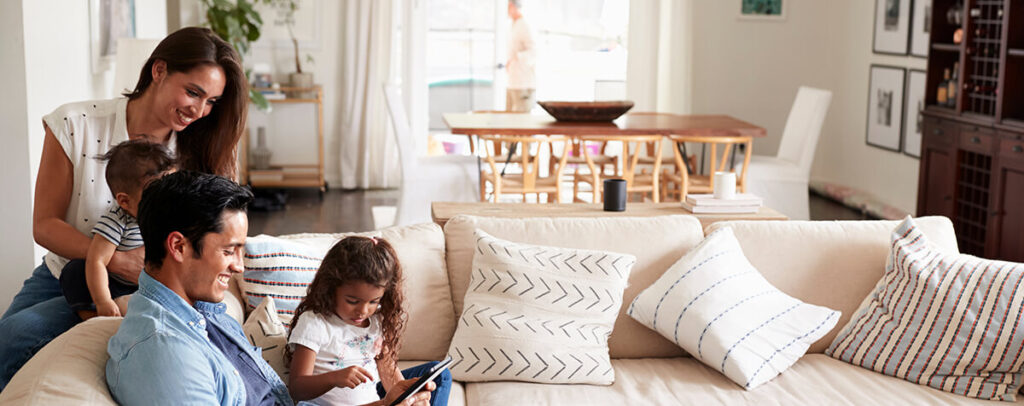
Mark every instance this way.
x=177 y=344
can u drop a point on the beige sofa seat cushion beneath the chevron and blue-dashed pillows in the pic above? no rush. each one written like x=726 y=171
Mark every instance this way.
x=816 y=380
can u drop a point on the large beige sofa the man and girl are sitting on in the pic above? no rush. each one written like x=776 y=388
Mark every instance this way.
x=830 y=264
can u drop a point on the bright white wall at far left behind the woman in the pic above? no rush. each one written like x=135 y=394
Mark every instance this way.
x=46 y=63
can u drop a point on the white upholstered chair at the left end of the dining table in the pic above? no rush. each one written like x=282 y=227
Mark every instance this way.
x=424 y=180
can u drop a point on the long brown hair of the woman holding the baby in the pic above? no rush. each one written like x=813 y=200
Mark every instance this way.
x=208 y=144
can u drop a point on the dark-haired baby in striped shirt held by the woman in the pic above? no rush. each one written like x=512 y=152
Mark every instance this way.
x=89 y=288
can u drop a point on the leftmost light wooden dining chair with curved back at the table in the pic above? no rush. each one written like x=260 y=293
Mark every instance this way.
x=526 y=179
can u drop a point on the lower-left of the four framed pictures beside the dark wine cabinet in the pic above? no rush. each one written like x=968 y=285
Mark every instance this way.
x=885 y=107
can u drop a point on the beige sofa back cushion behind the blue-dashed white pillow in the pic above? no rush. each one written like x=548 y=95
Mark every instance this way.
x=830 y=264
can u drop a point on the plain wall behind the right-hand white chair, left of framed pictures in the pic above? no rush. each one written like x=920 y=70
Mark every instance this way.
x=752 y=69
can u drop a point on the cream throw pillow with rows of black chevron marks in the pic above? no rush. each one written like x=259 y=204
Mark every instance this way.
x=539 y=314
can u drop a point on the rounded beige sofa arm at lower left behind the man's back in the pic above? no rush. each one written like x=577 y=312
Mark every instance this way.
x=71 y=371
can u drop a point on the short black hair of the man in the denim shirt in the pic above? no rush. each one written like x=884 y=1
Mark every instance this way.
x=188 y=202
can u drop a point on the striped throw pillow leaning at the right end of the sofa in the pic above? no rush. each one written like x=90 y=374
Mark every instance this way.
x=947 y=320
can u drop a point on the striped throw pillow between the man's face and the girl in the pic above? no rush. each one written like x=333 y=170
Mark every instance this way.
x=280 y=270
